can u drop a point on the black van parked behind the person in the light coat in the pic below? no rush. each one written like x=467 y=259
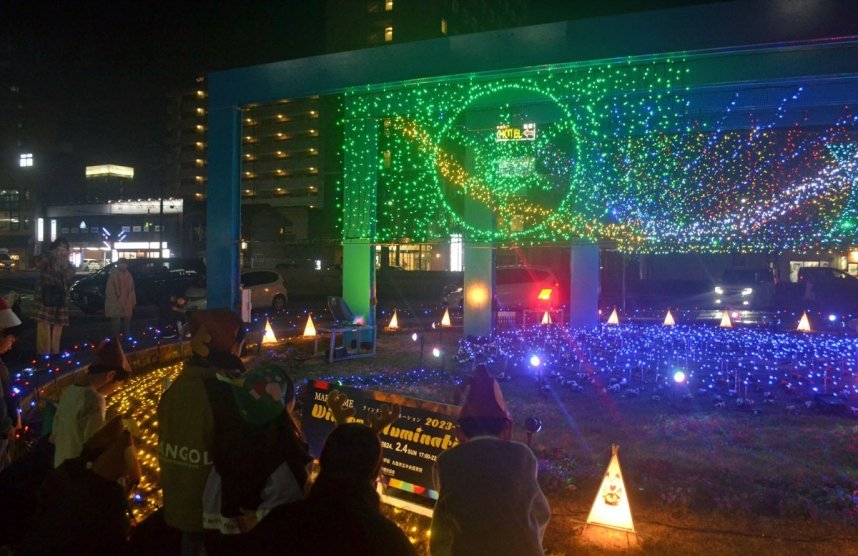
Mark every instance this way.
x=154 y=281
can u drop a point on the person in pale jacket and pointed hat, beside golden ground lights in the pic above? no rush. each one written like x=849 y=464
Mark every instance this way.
x=81 y=410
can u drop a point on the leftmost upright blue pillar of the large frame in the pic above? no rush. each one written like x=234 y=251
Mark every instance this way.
x=223 y=206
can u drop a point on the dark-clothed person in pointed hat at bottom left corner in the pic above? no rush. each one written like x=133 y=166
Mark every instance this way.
x=82 y=506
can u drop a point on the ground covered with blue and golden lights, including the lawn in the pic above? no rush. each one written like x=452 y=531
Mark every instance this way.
x=742 y=441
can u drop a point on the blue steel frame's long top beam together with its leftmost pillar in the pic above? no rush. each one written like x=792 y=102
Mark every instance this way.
x=800 y=38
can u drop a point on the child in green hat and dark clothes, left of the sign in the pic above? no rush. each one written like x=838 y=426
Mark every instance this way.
x=260 y=457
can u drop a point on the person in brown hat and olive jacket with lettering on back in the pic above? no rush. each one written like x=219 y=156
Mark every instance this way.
x=186 y=421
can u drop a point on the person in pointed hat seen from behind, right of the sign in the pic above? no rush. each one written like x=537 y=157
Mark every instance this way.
x=489 y=501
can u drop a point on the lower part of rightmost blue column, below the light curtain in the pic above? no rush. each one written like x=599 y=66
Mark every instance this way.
x=584 y=285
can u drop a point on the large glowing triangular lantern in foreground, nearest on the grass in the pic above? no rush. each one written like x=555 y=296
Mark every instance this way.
x=610 y=520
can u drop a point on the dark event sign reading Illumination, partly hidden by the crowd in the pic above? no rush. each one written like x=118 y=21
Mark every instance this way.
x=411 y=444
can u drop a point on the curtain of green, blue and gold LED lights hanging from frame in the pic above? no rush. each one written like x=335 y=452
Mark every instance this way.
x=621 y=152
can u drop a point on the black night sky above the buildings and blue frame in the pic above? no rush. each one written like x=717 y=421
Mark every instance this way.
x=104 y=68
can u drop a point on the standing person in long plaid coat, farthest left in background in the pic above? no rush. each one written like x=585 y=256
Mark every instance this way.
x=51 y=311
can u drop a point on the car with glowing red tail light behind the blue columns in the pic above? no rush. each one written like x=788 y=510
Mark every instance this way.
x=517 y=287
